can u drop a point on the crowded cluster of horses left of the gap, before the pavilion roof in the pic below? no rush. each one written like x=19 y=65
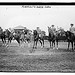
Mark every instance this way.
x=7 y=37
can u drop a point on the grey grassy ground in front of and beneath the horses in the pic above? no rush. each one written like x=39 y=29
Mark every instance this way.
x=25 y=59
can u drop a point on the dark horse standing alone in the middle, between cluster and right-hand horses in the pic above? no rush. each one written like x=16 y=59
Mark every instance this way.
x=37 y=38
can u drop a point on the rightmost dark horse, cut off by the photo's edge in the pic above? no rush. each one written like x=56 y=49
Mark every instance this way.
x=70 y=39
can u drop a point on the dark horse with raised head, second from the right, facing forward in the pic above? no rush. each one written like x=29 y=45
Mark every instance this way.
x=51 y=37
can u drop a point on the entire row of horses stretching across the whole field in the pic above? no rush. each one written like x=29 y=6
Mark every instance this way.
x=26 y=37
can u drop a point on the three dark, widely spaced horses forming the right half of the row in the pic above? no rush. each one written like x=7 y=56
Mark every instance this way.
x=55 y=38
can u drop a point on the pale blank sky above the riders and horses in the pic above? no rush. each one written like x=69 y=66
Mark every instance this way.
x=61 y=16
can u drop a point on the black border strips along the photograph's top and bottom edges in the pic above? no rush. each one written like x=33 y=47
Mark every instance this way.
x=38 y=3
